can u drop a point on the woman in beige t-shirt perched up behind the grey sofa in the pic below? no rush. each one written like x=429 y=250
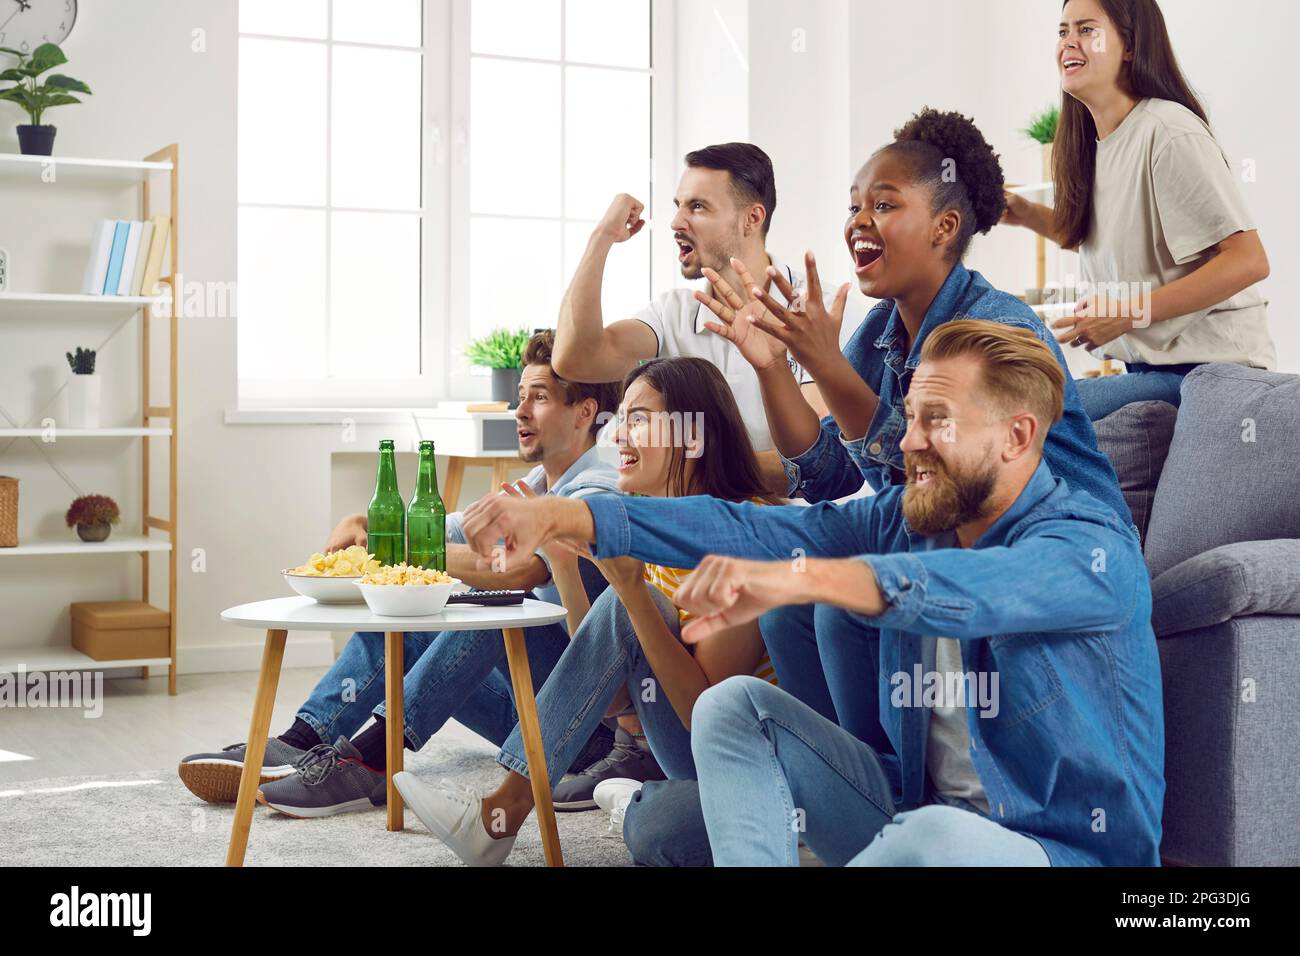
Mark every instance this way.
x=1169 y=253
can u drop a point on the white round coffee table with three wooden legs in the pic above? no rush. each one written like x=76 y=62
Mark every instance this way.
x=284 y=615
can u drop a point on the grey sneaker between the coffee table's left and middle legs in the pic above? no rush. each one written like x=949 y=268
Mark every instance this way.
x=328 y=781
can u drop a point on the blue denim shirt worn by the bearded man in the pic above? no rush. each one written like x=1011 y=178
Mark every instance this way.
x=1054 y=599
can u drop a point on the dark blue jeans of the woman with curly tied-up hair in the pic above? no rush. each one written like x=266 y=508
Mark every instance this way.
x=830 y=660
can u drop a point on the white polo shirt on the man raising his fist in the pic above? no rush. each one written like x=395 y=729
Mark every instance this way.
x=678 y=323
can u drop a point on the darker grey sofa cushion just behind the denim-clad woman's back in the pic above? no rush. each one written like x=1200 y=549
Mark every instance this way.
x=1137 y=440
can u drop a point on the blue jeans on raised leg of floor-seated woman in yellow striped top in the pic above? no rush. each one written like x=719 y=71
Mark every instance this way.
x=604 y=657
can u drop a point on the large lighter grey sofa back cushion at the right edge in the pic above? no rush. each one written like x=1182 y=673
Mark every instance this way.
x=1232 y=473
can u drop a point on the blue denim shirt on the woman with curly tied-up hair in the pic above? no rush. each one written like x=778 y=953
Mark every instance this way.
x=837 y=468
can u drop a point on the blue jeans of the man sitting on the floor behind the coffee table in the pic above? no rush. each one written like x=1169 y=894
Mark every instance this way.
x=460 y=674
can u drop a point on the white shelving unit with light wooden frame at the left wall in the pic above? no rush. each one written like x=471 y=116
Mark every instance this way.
x=25 y=306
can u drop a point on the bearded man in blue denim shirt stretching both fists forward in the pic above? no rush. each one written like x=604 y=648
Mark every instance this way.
x=1041 y=587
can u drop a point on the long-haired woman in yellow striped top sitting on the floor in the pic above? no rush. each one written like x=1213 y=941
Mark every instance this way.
x=679 y=434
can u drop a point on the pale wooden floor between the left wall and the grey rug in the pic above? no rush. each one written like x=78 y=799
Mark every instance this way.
x=145 y=729
